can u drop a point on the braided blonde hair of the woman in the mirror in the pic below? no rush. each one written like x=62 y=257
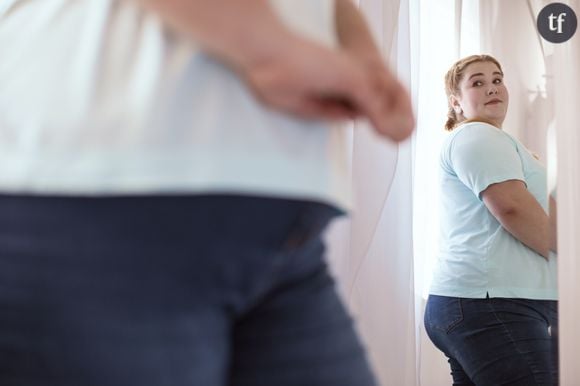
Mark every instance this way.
x=452 y=80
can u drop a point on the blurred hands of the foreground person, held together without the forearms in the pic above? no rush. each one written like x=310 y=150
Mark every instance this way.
x=311 y=81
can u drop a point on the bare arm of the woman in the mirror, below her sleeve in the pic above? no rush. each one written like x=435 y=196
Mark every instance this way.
x=520 y=214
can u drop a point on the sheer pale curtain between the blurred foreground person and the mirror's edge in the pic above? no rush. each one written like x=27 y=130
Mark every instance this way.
x=372 y=253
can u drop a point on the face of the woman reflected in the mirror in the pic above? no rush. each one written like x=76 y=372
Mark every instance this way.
x=483 y=94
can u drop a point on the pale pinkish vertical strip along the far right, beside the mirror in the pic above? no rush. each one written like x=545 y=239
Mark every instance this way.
x=566 y=65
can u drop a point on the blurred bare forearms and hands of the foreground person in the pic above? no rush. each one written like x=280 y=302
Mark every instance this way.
x=291 y=73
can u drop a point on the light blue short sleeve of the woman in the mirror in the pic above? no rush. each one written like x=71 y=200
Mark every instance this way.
x=481 y=155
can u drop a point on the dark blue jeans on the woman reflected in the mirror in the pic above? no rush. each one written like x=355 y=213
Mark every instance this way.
x=496 y=341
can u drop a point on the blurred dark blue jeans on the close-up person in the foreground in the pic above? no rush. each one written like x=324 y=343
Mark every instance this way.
x=170 y=291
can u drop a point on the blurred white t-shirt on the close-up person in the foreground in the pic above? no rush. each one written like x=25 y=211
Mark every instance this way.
x=98 y=97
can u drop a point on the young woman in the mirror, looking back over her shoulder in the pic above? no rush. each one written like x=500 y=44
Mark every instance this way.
x=492 y=307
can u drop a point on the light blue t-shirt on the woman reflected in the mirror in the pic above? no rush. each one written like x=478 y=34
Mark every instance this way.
x=477 y=255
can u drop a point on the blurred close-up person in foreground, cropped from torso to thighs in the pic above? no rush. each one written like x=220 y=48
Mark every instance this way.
x=166 y=170
